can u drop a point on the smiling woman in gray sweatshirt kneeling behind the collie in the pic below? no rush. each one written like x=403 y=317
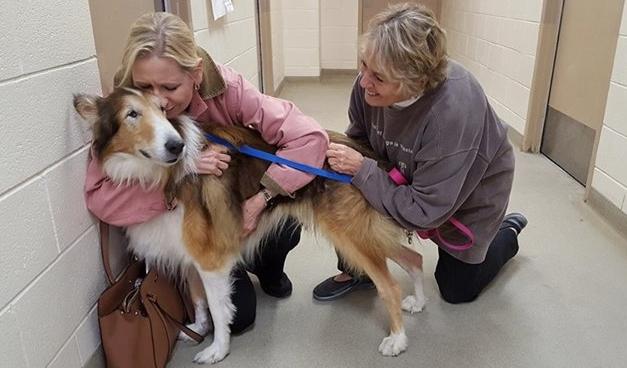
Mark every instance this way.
x=430 y=118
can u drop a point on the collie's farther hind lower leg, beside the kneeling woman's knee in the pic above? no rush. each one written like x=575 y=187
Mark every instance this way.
x=411 y=262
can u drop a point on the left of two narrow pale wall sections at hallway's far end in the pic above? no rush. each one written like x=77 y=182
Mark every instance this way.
x=301 y=37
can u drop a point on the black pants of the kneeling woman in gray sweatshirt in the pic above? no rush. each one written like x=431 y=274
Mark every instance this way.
x=461 y=282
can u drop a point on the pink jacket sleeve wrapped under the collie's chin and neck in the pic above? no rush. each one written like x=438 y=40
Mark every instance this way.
x=120 y=205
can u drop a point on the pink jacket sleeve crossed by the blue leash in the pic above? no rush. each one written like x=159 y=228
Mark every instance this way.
x=298 y=137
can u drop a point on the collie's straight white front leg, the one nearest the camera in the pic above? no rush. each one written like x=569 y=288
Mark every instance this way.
x=218 y=289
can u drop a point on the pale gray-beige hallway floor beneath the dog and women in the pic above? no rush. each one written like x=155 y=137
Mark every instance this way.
x=561 y=302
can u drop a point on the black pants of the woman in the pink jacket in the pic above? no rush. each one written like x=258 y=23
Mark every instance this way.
x=268 y=267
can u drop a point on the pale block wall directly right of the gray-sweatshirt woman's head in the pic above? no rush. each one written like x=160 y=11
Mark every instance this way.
x=497 y=40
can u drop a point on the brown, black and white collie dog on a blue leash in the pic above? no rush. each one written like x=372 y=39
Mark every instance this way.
x=136 y=143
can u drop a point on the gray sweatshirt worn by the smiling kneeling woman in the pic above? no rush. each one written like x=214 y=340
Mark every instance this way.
x=452 y=148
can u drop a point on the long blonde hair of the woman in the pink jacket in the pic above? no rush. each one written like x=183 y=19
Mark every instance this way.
x=161 y=34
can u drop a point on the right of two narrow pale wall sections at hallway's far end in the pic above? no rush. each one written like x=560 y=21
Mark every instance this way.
x=338 y=34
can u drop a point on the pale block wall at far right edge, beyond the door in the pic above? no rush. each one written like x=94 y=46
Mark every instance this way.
x=610 y=172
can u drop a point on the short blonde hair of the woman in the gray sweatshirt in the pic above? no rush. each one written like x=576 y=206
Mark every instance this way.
x=406 y=44
